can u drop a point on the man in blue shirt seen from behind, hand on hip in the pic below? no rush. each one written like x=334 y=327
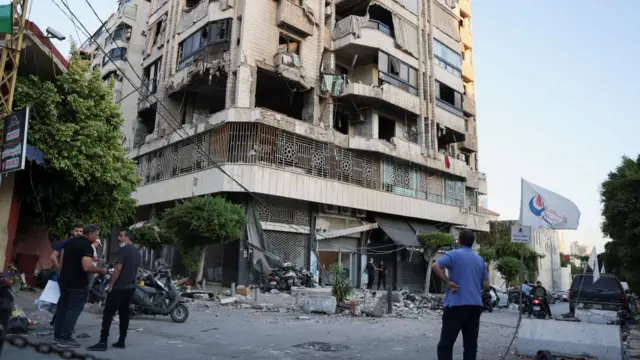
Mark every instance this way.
x=463 y=299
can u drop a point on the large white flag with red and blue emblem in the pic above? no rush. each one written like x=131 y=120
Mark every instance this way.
x=543 y=208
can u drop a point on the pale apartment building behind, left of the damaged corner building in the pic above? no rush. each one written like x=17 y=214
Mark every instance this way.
x=123 y=38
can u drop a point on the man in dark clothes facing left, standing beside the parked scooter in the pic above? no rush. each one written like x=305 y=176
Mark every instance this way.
x=121 y=289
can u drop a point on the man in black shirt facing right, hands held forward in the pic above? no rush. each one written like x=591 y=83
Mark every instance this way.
x=76 y=263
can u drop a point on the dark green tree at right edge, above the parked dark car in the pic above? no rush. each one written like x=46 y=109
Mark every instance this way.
x=620 y=197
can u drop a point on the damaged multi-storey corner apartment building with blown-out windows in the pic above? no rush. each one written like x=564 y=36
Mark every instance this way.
x=344 y=127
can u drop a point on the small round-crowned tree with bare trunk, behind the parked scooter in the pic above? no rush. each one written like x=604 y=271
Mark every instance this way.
x=201 y=221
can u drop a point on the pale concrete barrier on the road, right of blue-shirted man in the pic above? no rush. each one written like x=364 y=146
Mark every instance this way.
x=567 y=337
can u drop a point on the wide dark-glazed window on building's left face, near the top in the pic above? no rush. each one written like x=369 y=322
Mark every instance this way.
x=213 y=33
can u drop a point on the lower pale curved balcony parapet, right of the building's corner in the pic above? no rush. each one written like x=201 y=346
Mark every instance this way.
x=385 y=94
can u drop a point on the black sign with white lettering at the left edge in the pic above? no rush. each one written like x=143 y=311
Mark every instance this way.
x=14 y=141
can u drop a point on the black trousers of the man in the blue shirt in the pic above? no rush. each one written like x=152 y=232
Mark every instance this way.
x=454 y=320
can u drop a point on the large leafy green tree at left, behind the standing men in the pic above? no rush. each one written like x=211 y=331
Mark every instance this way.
x=89 y=177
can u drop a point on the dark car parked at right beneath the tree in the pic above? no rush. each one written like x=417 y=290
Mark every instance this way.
x=605 y=294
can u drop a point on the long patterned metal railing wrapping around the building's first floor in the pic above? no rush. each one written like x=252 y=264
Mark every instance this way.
x=259 y=144
